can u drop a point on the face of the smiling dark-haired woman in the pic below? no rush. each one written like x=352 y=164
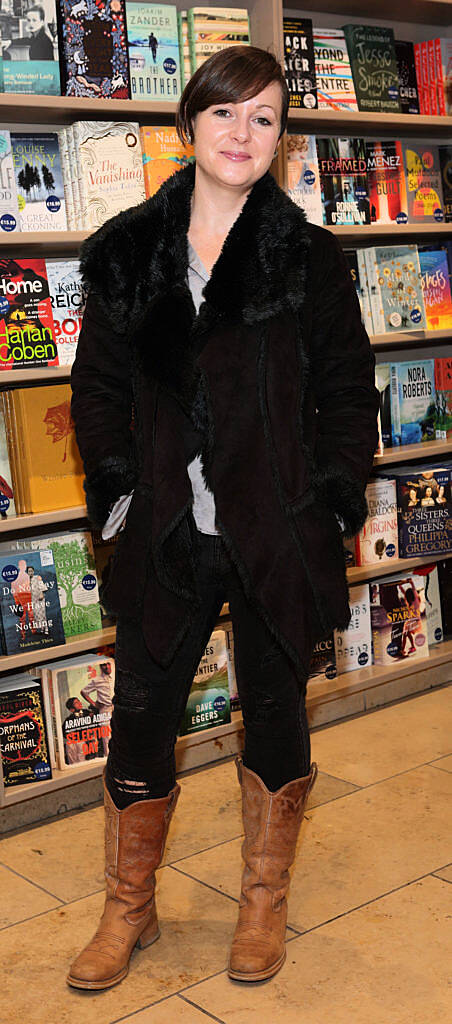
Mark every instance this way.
x=235 y=143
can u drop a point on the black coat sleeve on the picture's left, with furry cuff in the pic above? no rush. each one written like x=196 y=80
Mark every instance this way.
x=102 y=410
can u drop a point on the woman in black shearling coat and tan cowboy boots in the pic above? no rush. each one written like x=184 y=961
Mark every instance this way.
x=233 y=329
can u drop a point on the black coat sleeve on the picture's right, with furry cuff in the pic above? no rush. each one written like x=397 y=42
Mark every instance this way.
x=343 y=376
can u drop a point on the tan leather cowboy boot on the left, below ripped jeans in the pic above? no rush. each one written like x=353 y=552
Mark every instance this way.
x=135 y=844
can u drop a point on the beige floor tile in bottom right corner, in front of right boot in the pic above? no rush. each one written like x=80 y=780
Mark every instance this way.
x=386 y=964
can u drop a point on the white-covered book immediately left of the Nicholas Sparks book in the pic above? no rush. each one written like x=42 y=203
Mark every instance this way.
x=354 y=646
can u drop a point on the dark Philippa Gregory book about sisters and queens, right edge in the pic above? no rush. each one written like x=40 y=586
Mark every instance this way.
x=425 y=511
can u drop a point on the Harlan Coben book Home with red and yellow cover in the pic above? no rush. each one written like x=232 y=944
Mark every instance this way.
x=27 y=330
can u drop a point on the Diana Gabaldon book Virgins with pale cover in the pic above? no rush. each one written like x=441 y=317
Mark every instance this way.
x=378 y=541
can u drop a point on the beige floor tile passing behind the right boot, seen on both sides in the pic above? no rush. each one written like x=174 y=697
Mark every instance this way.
x=354 y=849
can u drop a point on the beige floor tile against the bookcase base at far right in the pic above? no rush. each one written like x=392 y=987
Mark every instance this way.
x=390 y=741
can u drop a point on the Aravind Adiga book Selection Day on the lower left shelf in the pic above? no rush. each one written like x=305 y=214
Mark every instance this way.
x=81 y=699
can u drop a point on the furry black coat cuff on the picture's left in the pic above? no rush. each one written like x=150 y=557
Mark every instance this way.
x=113 y=478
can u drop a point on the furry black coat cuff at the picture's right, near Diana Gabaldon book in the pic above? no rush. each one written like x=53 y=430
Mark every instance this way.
x=343 y=493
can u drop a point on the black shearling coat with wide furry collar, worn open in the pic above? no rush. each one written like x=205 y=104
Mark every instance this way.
x=276 y=374
